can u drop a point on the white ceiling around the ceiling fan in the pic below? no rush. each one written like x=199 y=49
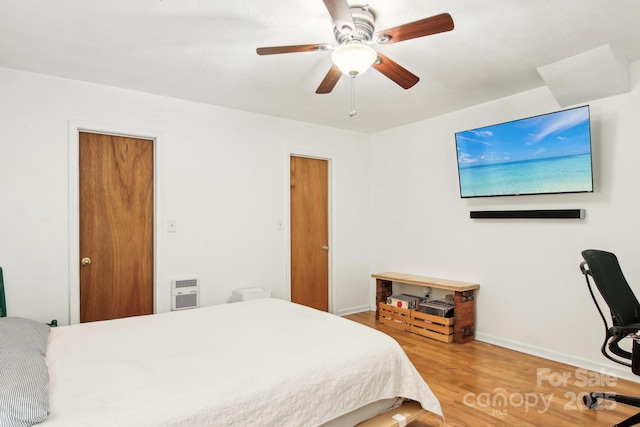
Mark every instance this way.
x=205 y=51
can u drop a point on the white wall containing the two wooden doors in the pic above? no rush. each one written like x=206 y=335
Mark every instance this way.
x=222 y=174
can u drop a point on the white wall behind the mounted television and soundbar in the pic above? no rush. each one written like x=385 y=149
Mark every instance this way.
x=532 y=296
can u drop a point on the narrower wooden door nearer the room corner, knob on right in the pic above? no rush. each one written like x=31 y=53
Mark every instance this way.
x=309 y=232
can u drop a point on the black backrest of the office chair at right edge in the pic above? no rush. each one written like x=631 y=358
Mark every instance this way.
x=608 y=277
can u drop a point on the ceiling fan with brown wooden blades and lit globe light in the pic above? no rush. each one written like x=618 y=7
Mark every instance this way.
x=354 y=30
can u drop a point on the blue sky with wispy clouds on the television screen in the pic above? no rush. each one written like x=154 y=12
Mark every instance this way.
x=564 y=133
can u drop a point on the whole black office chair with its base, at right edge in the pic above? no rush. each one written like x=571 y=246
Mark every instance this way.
x=605 y=272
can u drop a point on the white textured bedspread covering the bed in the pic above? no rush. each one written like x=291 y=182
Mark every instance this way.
x=264 y=362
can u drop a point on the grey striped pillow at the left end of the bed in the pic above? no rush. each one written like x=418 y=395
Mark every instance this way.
x=24 y=379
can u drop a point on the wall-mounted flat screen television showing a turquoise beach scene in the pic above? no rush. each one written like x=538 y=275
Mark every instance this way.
x=545 y=154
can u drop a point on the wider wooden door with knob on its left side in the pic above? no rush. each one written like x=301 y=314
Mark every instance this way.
x=116 y=226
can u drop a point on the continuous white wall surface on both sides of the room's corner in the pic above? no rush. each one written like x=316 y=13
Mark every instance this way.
x=223 y=176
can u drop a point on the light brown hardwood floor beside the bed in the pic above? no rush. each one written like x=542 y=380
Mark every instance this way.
x=479 y=384
